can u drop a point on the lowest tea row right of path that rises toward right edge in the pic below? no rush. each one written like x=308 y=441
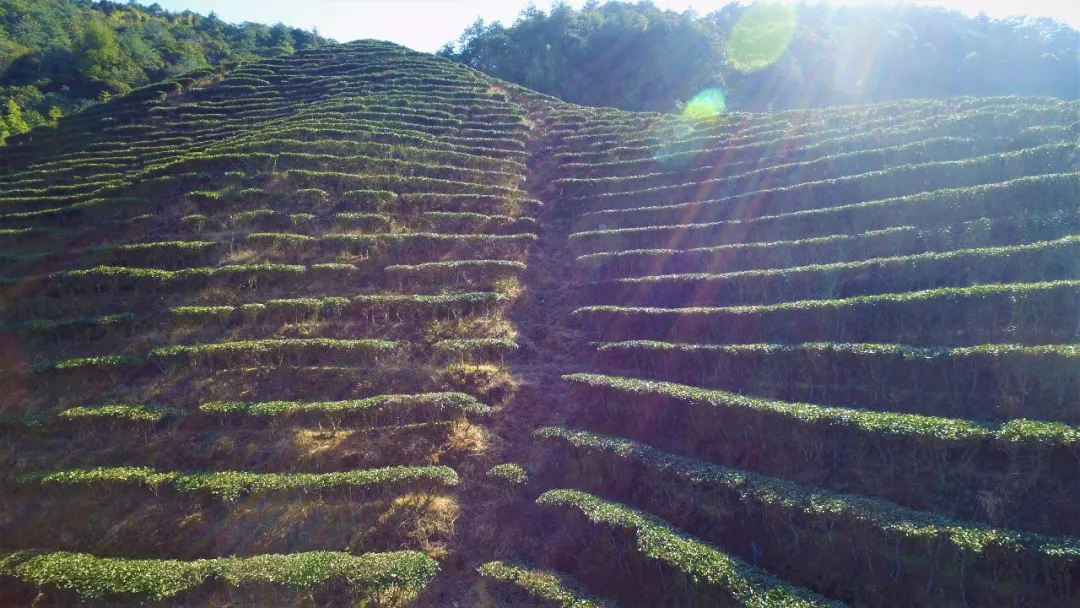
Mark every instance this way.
x=1019 y=314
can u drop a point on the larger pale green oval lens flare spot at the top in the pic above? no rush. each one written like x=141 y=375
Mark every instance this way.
x=761 y=36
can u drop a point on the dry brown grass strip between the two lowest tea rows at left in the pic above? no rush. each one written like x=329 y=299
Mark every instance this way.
x=133 y=523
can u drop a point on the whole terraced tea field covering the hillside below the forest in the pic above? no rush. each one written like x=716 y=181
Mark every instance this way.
x=362 y=326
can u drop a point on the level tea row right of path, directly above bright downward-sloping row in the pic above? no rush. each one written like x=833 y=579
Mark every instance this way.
x=979 y=383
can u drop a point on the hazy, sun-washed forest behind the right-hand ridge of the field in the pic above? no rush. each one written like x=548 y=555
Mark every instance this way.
x=639 y=58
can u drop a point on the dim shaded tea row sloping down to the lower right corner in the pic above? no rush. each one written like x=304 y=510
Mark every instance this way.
x=717 y=497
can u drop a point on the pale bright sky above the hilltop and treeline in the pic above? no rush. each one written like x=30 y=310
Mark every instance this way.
x=426 y=25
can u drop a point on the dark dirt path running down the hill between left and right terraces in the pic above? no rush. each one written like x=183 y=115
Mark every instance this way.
x=493 y=526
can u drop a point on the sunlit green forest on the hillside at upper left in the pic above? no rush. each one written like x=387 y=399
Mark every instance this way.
x=58 y=57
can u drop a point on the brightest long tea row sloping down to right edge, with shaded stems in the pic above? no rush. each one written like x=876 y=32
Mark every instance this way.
x=915 y=461
